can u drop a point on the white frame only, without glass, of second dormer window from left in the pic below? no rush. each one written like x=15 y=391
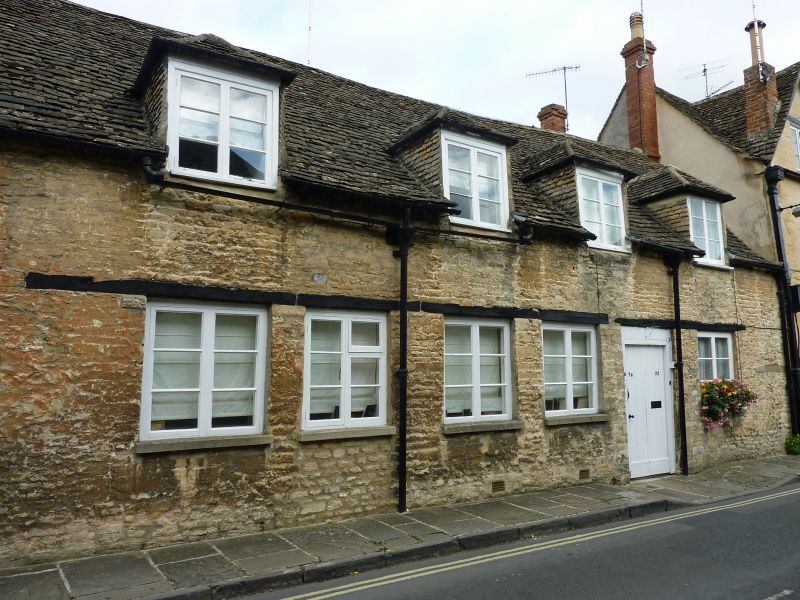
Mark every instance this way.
x=474 y=145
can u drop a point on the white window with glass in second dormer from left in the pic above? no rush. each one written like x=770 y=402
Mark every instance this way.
x=475 y=179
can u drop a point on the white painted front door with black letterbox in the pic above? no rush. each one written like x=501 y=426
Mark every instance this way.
x=647 y=409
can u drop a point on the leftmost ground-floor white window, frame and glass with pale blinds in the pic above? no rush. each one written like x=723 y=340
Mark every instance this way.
x=204 y=369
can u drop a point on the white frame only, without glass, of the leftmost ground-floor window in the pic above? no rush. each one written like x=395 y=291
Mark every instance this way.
x=208 y=312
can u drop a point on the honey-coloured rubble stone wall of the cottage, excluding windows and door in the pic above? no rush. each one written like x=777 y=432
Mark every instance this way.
x=71 y=362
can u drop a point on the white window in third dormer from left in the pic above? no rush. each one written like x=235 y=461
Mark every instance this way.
x=601 y=208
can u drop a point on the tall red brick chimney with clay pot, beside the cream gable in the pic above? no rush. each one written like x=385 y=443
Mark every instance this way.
x=640 y=88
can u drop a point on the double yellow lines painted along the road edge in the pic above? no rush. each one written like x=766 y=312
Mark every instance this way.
x=538 y=547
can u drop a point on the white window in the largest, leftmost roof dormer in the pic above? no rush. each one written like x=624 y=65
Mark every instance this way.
x=222 y=126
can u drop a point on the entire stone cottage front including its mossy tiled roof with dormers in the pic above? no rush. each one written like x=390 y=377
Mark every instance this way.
x=239 y=293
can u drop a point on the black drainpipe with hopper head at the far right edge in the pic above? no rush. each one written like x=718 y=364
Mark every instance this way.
x=774 y=175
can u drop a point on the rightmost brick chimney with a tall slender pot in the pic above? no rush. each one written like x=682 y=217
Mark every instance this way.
x=760 y=85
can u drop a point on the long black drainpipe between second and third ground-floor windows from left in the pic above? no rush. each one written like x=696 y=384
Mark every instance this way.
x=403 y=237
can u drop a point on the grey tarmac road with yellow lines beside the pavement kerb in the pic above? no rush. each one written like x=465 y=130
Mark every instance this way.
x=743 y=549
